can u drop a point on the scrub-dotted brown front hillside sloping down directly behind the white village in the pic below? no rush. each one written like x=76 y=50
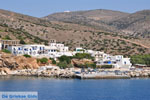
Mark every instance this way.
x=36 y=30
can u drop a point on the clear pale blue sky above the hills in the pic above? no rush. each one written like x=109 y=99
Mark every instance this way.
x=41 y=8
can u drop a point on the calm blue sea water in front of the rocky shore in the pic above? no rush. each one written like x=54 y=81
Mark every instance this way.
x=55 y=89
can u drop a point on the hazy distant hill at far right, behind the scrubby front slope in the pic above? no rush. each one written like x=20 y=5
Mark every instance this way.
x=136 y=24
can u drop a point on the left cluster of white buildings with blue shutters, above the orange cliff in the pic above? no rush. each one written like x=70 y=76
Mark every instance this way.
x=54 y=50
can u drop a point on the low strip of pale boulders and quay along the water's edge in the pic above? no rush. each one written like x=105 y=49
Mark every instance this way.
x=56 y=72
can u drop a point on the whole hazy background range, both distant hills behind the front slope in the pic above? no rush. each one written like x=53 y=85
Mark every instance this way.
x=136 y=24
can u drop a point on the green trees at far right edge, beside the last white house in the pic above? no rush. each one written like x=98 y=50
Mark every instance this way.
x=141 y=59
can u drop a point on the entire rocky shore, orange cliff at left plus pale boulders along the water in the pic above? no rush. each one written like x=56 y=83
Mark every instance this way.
x=22 y=66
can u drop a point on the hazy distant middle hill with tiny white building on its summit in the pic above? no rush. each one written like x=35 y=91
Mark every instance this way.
x=95 y=18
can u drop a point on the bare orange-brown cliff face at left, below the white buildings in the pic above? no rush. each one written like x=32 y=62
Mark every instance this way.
x=17 y=62
